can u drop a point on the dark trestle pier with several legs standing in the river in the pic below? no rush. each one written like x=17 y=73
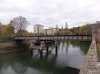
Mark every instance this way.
x=44 y=46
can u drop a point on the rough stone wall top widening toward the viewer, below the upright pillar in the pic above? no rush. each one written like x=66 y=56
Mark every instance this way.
x=90 y=65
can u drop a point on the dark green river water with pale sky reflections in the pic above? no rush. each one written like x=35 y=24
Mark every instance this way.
x=68 y=60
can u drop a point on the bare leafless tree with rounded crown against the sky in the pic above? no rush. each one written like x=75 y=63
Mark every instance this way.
x=19 y=23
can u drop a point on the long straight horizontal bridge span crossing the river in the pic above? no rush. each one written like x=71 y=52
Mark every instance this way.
x=67 y=37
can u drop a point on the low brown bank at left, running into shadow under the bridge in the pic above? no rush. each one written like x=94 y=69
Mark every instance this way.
x=12 y=47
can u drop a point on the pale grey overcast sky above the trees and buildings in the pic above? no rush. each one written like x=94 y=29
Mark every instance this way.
x=51 y=12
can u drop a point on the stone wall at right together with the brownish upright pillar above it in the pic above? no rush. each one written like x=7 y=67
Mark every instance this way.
x=91 y=64
